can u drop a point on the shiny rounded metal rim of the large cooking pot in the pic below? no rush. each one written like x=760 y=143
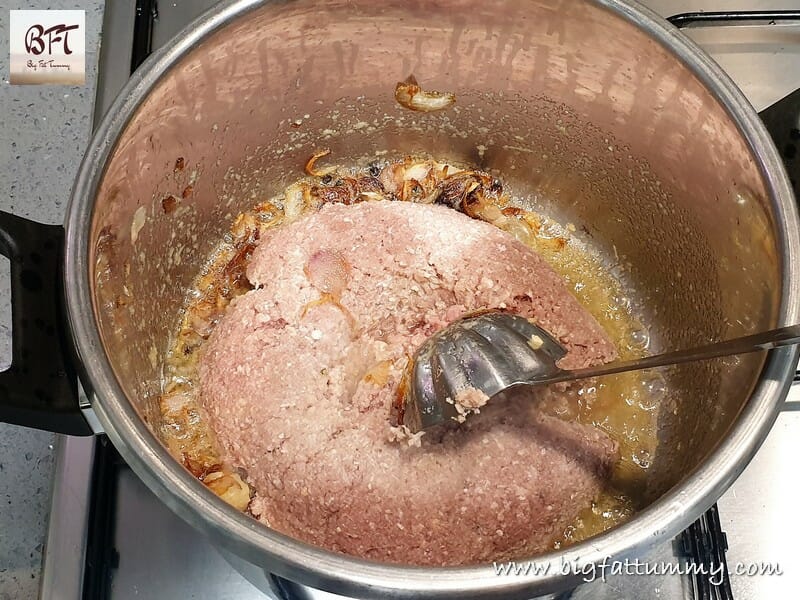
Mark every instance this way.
x=326 y=570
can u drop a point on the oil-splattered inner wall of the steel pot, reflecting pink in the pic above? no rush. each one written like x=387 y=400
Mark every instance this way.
x=587 y=118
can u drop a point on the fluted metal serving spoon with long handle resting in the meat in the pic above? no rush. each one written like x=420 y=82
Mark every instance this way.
x=494 y=351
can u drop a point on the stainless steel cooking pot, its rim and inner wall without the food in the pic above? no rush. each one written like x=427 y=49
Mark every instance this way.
x=603 y=113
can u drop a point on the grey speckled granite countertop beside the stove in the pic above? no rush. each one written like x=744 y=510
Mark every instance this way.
x=45 y=129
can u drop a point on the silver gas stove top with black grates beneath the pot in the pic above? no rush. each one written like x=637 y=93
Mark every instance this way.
x=110 y=537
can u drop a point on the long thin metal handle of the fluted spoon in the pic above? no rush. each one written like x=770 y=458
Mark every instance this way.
x=766 y=340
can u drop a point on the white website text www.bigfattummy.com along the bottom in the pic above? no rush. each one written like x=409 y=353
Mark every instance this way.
x=601 y=570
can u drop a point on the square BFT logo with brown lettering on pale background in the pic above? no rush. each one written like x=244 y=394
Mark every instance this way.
x=48 y=46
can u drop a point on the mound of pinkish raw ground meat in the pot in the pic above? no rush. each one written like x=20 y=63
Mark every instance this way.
x=299 y=376
